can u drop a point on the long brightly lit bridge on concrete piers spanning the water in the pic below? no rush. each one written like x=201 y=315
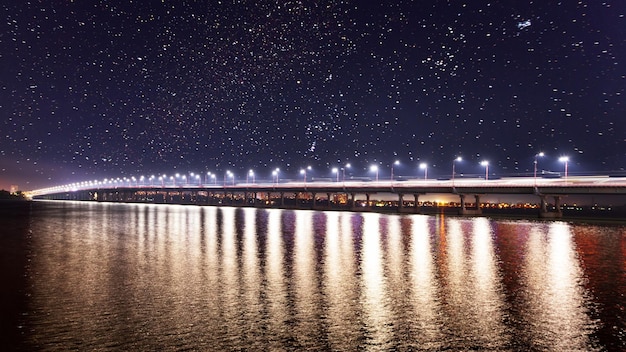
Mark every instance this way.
x=329 y=195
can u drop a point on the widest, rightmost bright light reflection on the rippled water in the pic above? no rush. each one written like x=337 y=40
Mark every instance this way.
x=557 y=313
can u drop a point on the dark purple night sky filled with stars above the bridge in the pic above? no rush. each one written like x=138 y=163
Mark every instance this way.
x=95 y=89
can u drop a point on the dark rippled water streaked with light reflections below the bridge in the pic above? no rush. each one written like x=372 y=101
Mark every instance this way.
x=87 y=276
